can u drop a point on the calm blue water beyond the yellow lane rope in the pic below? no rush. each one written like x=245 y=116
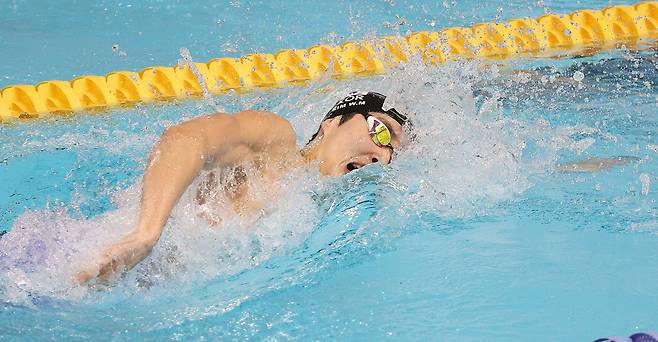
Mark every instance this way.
x=46 y=40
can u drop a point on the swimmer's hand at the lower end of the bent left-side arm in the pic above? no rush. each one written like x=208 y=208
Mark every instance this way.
x=122 y=256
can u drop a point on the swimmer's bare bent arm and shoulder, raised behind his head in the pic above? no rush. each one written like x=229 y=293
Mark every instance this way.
x=175 y=161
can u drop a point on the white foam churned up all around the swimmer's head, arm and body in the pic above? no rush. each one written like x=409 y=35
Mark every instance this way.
x=466 y=158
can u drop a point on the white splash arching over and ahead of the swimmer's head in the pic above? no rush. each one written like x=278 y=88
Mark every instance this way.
x=464 y=159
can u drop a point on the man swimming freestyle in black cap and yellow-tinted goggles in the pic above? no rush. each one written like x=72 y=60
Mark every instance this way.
x=356 y=132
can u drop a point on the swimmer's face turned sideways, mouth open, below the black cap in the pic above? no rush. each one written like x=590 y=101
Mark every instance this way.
x=349 y=146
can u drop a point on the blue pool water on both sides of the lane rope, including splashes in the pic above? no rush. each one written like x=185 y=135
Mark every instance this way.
x=470 y=234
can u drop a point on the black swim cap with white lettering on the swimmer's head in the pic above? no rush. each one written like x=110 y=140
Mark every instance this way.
x=364 y=102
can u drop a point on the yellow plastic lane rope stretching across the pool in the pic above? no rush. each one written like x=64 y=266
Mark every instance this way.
x=592 y=29
